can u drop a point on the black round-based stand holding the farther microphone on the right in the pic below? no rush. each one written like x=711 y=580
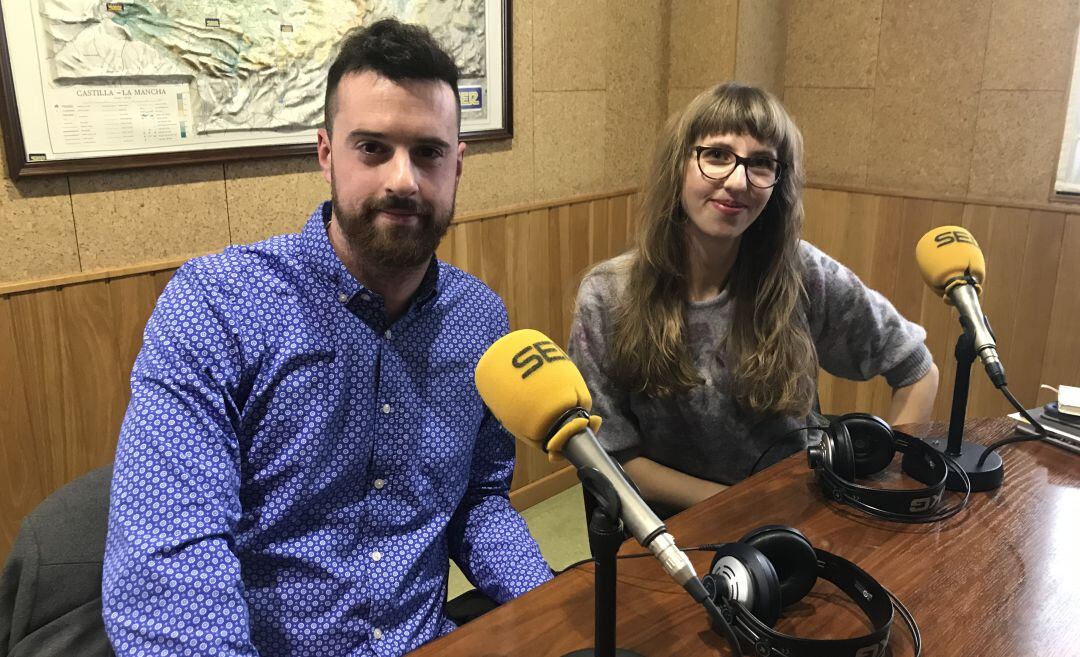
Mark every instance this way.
x=966 y=454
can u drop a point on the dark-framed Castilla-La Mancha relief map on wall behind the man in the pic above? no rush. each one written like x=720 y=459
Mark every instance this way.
x=91 y=86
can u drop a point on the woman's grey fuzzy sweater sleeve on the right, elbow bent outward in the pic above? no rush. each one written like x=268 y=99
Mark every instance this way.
x=859 y=334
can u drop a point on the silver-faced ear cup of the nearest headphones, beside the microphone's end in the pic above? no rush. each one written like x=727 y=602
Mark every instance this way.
x=741 y=573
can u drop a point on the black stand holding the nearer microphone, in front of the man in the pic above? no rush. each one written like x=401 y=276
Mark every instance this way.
x=605 y=537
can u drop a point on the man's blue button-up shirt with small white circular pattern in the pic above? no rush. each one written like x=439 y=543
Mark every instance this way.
x=294 y=472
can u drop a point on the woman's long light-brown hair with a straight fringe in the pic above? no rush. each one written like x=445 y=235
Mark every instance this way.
x=768 y=350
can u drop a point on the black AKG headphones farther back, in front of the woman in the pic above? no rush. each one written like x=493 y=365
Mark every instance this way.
x=859 y=445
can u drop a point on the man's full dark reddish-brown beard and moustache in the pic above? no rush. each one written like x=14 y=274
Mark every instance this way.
x=395 y=247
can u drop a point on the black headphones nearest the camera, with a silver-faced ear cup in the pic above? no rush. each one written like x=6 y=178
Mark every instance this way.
x=776 y=567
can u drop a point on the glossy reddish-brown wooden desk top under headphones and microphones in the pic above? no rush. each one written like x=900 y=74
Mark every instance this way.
x=1001 y=579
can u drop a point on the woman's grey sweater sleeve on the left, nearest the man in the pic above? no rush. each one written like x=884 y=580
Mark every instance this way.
x=588 y=348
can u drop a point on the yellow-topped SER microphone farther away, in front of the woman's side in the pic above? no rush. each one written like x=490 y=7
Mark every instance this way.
x=953 y=266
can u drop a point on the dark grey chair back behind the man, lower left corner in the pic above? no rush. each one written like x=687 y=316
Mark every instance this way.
x=51 y=586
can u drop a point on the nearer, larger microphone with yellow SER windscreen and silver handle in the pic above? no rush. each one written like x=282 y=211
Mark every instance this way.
x=541 y=397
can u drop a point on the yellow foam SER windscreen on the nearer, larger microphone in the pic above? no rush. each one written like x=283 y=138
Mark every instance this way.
x=530 y=383
